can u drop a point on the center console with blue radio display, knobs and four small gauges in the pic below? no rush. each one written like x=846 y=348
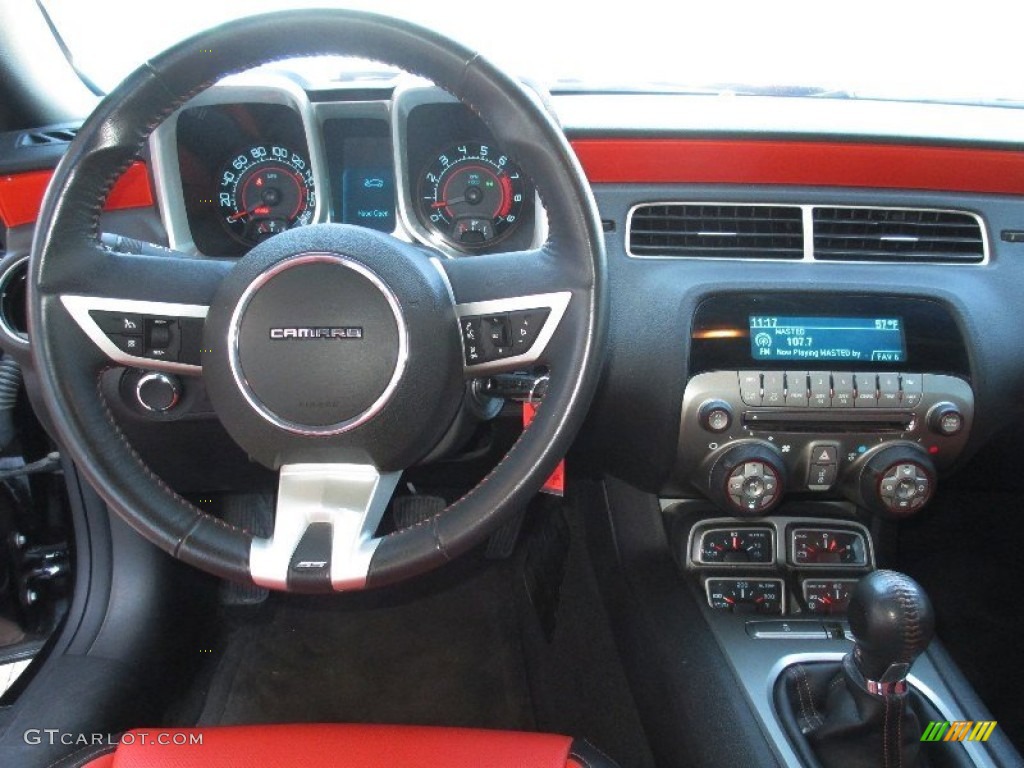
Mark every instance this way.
x=806 y=418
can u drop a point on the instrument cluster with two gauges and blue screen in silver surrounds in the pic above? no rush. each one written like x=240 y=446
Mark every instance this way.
x=244 y=162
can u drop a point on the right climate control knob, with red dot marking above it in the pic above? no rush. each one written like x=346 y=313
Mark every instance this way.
x=897 y=481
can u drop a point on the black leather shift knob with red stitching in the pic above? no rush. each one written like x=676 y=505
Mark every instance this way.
x=892 y=623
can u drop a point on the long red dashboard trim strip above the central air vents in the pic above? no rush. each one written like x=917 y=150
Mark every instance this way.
x=803 y=163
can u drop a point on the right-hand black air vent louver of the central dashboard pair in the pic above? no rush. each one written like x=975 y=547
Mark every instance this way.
x=897 y=235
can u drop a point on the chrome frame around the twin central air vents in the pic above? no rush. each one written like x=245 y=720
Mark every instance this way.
x=808 y=224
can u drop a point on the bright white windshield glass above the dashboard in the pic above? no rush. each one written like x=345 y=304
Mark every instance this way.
x=895 y=51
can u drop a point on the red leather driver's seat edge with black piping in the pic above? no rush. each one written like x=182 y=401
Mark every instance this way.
x=344 y=747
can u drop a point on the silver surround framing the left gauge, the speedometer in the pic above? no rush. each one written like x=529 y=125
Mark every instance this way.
x=250 y=88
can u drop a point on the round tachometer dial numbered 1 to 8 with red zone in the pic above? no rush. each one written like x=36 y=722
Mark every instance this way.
x=472 y=195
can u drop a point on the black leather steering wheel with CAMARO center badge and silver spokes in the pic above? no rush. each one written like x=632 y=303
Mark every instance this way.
x=343 y=413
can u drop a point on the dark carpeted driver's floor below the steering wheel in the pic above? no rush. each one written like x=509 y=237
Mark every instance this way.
x=518 y=645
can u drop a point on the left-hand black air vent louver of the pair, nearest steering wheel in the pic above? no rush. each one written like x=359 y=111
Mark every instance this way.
x=717 y=231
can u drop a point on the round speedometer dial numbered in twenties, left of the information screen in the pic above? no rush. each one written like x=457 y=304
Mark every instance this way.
x=266 y=190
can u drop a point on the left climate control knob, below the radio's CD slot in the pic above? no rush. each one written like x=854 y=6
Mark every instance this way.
x=745 y=479
